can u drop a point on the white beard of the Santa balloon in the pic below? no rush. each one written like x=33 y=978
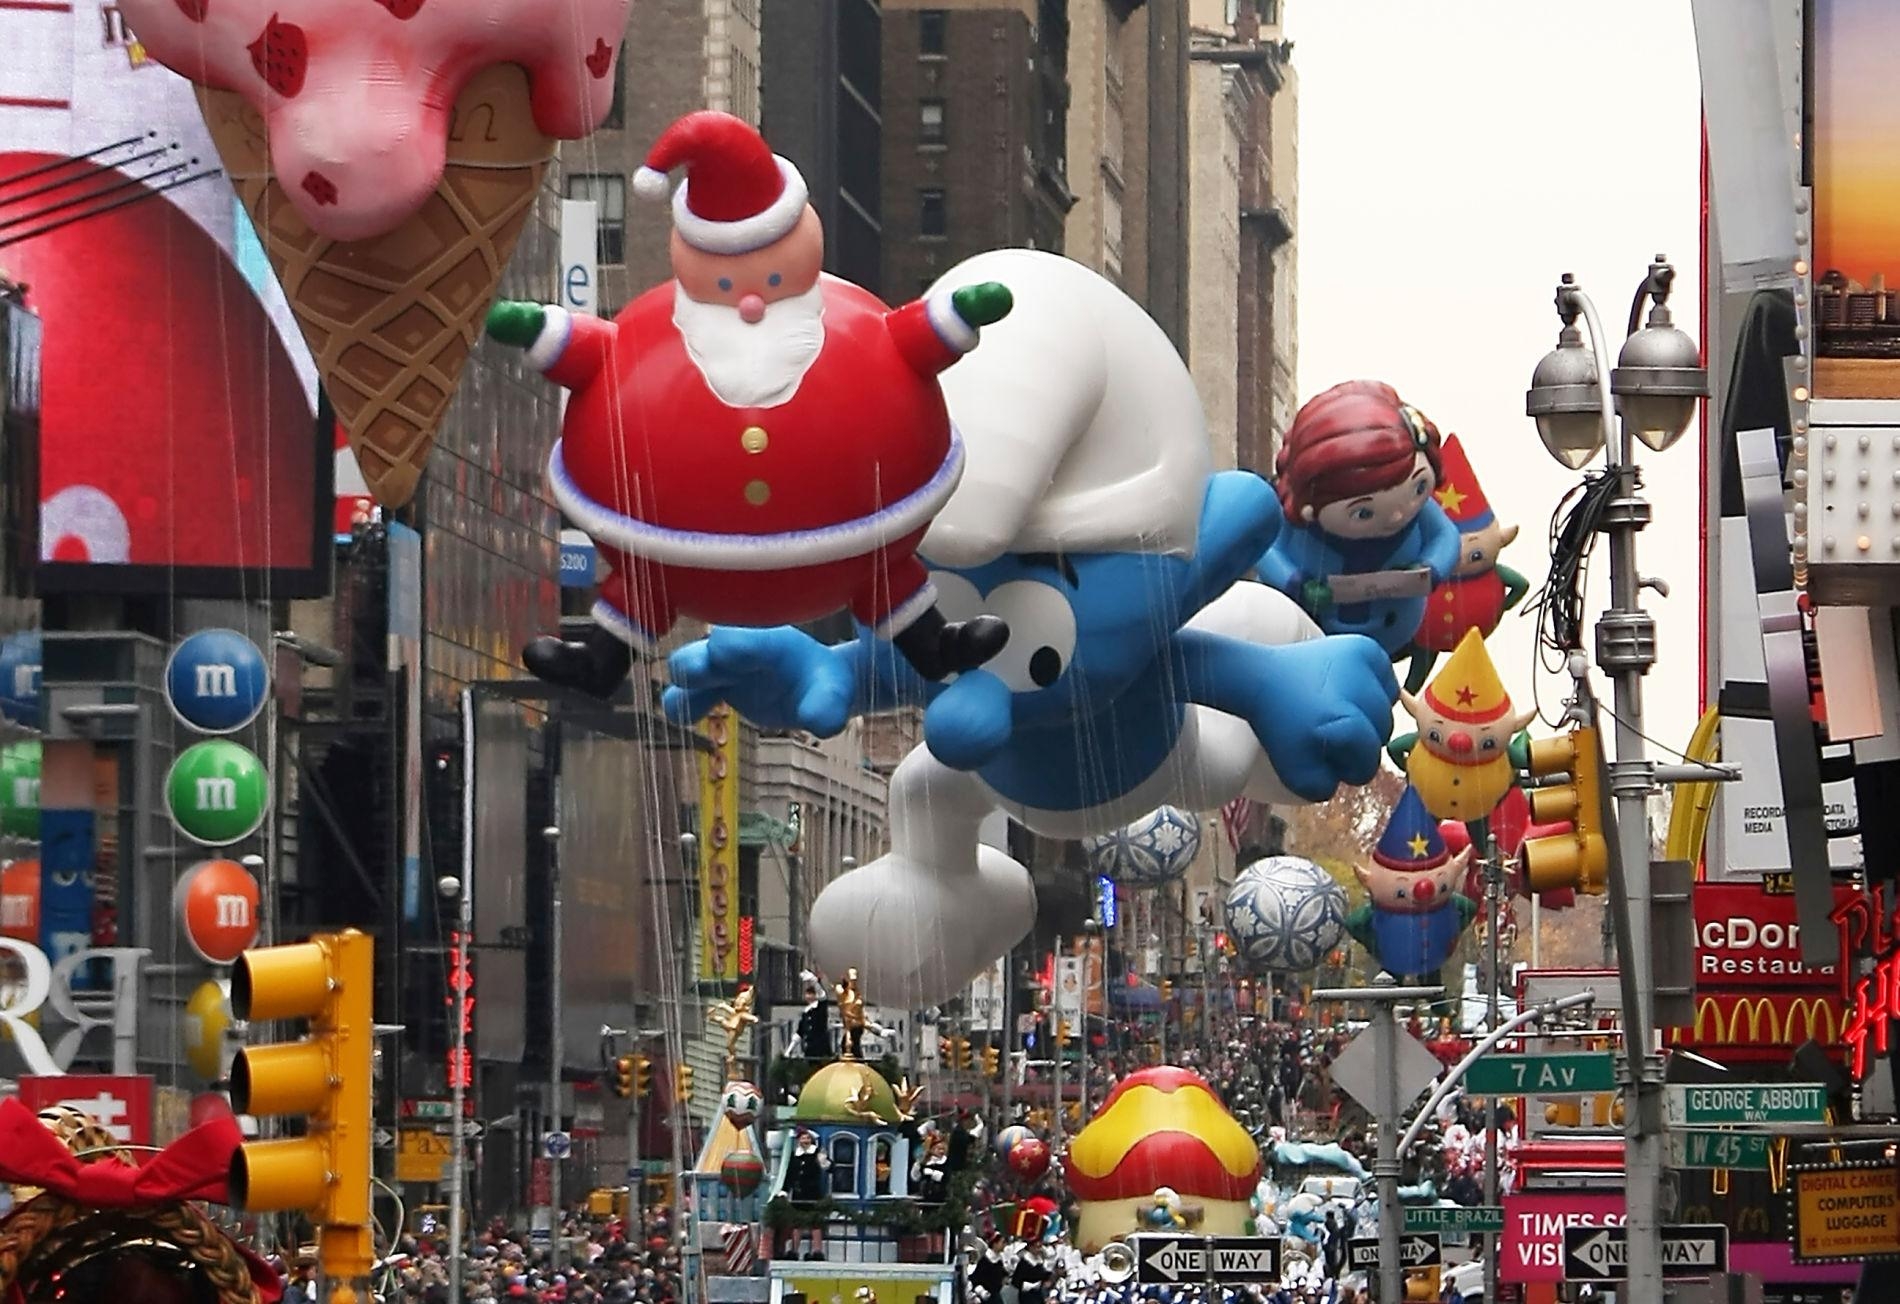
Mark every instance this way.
x=753 y=364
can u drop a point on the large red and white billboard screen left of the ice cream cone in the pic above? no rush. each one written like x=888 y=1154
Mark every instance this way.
x=181 y=448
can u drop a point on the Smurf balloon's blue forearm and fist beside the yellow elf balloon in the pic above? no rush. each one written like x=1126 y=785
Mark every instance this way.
x=1321 y=710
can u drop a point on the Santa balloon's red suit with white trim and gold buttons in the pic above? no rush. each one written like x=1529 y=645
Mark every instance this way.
x=757 y=516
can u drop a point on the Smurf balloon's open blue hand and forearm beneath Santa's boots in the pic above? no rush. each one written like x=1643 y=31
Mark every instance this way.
x=774 y=678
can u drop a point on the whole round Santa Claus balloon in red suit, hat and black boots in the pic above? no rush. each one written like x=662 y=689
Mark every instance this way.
x=753 y=442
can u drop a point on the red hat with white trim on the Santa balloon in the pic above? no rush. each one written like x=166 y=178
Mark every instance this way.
x=738 y=195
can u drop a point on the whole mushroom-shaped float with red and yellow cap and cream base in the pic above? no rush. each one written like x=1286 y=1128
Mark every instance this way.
x=1164 y=1143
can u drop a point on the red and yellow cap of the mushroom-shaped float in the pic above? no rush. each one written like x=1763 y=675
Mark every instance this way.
x=1164 y=1128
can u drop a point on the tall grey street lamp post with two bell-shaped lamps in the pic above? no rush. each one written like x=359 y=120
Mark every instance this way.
x=1576 y=404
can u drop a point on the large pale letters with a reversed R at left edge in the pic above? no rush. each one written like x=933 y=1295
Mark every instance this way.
x=48 y=984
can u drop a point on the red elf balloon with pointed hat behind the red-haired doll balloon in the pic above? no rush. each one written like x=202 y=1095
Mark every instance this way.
x=1481 y=590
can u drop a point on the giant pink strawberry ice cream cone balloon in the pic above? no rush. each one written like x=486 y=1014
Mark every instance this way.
x=389 y=155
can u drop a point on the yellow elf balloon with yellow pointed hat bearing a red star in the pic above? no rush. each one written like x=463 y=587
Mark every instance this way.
x=1462 y=761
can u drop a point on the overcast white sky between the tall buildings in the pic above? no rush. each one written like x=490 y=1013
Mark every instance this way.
x=1454 y=161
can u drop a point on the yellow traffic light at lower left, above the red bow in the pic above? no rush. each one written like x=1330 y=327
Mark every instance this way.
x=330 y=982
